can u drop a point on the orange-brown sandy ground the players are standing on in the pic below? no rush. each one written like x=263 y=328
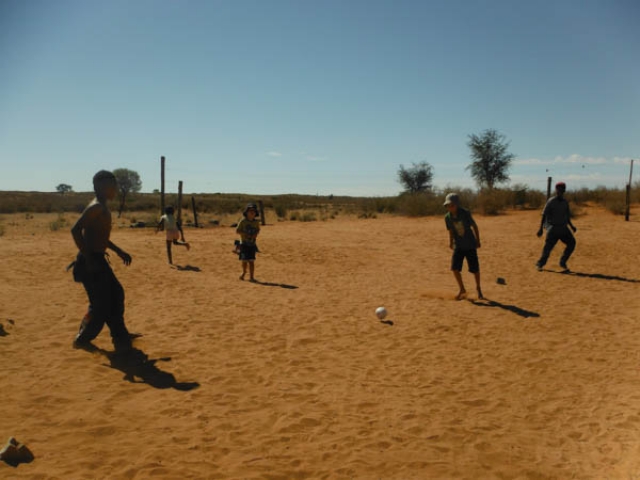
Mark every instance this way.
x=296 y=378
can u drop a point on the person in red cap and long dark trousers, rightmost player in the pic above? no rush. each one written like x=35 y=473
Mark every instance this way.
x=556 y=218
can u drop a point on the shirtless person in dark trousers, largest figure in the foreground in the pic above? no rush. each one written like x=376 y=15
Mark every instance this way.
x=106 y=296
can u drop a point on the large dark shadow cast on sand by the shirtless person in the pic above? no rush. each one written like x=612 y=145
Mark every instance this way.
x=139 y=368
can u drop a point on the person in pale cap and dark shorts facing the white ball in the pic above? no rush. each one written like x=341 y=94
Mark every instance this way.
x=464 y=240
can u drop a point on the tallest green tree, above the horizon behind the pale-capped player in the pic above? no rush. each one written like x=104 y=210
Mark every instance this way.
x=491 y=159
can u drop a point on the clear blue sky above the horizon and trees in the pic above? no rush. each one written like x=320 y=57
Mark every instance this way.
x=318 y=97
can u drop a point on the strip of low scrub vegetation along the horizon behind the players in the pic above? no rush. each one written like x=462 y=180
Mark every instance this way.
x=306 y=208
